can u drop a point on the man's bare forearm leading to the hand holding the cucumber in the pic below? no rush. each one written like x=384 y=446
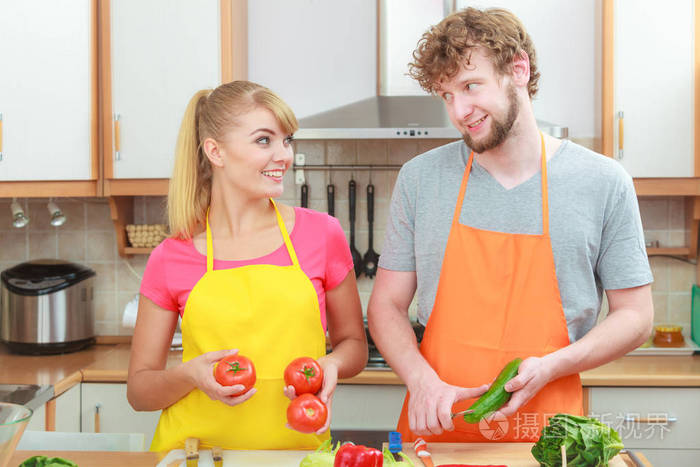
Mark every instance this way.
x=620 y=332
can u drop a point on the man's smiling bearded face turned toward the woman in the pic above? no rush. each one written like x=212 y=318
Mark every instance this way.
x=482 y=104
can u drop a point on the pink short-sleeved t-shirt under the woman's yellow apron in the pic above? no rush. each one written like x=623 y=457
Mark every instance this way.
x=175 y=266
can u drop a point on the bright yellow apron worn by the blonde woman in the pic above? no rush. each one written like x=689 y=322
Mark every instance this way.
x=271 y=314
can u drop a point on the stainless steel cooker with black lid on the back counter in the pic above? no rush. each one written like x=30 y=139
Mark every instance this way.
x=47 y=307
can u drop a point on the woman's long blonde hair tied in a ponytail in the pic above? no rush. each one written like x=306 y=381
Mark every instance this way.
x=210 y=114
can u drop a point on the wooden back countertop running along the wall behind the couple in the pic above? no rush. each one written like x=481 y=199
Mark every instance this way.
x=109 y=363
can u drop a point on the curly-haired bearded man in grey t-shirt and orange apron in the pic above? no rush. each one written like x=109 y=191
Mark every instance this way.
x=512 y=264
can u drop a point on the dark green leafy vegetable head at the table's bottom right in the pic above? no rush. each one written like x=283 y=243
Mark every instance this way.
x=588 y=442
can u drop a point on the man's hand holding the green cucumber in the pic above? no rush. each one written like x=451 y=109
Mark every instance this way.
x=533 y=374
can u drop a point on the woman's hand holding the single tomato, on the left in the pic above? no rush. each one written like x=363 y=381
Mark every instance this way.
x=201 y=372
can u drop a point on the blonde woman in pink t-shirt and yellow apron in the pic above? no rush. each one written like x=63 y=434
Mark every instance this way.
x=245 y=274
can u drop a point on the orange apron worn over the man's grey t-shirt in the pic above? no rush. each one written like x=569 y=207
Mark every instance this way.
x=497 y=299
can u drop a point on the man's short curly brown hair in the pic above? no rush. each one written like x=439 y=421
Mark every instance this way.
x=443 y=49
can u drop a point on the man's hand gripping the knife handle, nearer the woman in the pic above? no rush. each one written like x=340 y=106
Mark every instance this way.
x=430 y=405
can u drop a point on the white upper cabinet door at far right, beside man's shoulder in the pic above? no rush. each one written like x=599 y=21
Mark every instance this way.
x=654 y=87
